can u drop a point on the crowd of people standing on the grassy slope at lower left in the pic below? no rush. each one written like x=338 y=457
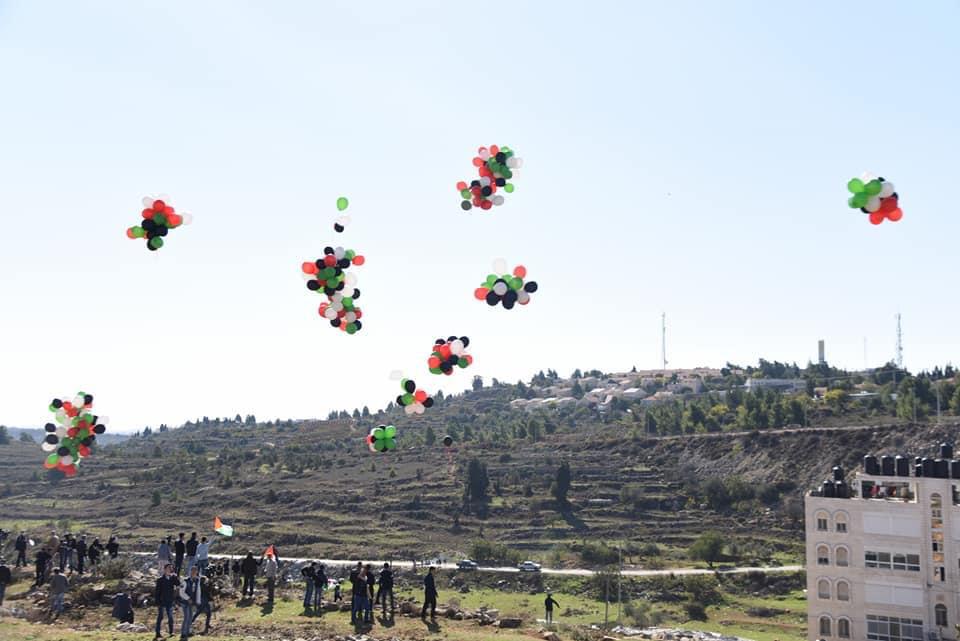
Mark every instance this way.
x=186 y=572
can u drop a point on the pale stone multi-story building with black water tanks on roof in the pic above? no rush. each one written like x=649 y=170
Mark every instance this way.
x=883 y=552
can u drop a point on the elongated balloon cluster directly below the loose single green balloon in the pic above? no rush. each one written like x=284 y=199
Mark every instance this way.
x=328 y=276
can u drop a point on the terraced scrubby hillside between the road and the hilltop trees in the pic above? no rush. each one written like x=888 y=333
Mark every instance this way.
x=313 y=488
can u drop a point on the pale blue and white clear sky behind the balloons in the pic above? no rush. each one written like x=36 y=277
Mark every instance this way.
x=687 y=157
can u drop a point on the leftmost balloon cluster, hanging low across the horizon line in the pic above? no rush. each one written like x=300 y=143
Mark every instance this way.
x=76 y=429
